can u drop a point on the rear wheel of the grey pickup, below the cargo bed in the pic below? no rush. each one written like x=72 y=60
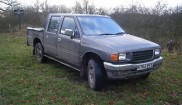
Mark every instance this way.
x=39 y=53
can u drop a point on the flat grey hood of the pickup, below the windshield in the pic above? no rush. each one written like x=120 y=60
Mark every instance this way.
x=125 y=42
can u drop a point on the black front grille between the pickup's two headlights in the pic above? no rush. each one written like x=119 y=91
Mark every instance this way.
x=142 y=56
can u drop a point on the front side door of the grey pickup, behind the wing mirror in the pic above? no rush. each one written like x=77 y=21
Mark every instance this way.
x=67 y=46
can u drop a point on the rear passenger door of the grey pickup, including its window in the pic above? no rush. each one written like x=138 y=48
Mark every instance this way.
x=50 y=36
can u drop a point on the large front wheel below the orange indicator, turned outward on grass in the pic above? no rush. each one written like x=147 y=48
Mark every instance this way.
x=95 y=75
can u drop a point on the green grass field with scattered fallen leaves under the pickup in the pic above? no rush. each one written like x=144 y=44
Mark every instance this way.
x=23 y=81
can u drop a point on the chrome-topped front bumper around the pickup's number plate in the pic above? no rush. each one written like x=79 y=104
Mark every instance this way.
x=119 y=71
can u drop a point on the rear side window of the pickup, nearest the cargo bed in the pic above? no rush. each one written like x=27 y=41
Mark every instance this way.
x=53 y=24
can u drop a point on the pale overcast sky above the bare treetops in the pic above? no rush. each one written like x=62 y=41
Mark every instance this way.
x=107 y=3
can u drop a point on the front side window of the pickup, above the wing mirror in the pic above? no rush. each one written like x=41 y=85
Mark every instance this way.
x=68 y=23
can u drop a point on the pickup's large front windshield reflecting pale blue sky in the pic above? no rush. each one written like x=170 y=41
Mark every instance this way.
x=95 y=25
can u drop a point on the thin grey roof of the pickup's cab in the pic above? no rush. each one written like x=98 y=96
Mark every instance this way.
x=68 y=14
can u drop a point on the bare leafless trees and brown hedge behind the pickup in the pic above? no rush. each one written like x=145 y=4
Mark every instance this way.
x=160 y=24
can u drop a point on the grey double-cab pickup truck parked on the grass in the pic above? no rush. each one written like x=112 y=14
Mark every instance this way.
x=96 y=46
